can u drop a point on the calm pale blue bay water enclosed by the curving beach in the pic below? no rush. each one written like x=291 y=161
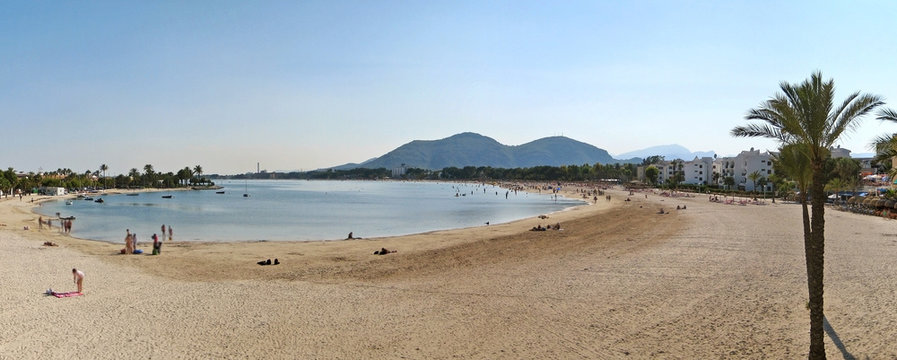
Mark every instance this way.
x=303 y=210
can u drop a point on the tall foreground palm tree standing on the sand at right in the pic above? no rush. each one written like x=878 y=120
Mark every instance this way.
x=805 y=115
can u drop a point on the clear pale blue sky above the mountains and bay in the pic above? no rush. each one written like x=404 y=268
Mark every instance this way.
x=310 y=84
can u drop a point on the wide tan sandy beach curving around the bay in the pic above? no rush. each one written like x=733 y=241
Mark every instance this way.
x=620 y=281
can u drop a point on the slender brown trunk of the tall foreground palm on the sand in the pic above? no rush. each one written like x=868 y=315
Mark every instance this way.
x=814 y=247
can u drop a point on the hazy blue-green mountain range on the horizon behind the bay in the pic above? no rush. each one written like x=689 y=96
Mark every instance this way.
x=471 y=149
